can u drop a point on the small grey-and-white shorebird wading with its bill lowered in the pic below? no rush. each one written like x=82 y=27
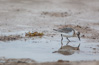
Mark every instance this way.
x=68 y=32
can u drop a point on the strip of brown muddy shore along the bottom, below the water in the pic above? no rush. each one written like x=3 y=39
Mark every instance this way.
x=26 y=61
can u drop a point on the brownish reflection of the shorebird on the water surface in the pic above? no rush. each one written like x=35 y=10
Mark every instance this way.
x=67 y=50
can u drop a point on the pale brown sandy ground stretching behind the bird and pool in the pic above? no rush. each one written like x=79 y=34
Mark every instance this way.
x=44 y=15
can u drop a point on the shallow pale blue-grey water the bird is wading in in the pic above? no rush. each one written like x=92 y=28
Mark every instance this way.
x=40 y=49
